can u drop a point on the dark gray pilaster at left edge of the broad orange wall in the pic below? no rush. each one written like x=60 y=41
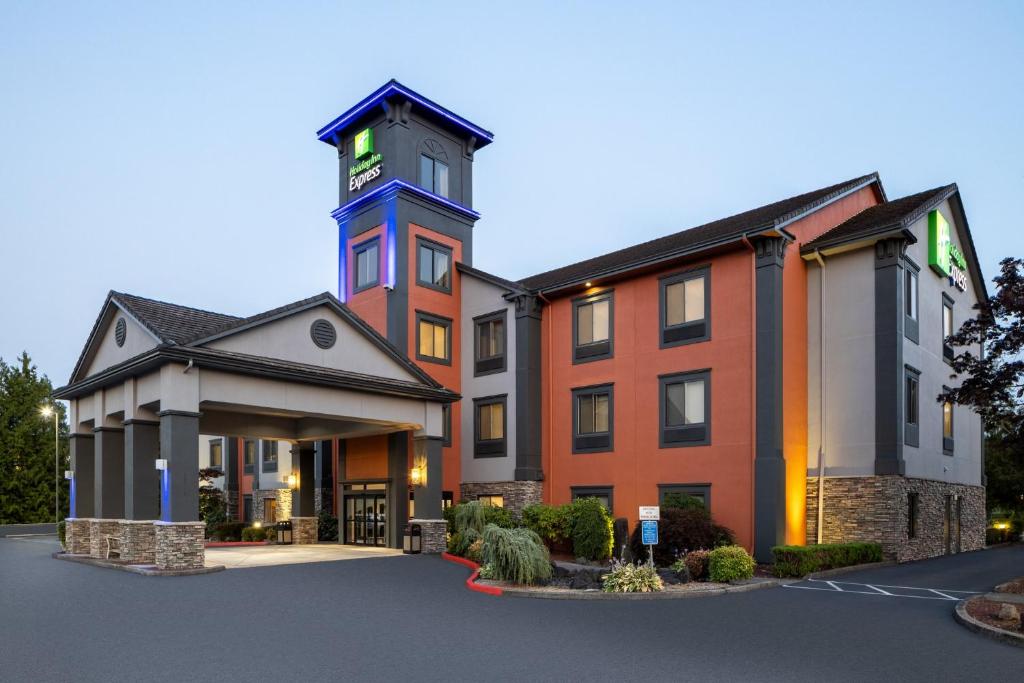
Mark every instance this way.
x=528 y=390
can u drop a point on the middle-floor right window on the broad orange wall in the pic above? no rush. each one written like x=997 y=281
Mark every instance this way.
x=685 y=407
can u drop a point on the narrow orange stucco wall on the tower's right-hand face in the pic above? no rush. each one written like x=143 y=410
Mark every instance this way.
x=446 y=306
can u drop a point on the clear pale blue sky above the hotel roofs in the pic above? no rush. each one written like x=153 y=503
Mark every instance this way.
x=168 y=150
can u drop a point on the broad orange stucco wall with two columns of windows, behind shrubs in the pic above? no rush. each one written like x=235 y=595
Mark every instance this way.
x=637 y=465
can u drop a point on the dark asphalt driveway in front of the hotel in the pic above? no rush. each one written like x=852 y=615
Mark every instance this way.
x=412 y=619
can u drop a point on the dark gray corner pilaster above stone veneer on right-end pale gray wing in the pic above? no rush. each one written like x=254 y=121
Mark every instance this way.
x=889 y=357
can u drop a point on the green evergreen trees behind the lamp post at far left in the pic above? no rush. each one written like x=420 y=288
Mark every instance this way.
x=27 y=468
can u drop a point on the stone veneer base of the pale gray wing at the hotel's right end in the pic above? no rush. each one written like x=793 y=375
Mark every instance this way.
x=876 y=509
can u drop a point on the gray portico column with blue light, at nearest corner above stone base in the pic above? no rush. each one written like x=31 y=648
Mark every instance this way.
x=180 y=483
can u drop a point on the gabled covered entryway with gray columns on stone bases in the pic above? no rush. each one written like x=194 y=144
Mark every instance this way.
x=155 y=376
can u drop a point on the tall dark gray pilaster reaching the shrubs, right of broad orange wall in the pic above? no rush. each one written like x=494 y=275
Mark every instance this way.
x=770 y=463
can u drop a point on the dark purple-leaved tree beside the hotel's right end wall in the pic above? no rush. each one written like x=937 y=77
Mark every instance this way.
x=994 y=382
